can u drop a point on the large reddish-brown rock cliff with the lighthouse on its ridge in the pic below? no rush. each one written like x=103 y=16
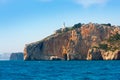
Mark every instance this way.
x=72 y=43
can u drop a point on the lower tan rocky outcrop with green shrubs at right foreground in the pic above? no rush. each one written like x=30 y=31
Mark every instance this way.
x=109 y=49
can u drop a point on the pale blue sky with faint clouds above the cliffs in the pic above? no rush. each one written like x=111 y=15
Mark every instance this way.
x=26 y=21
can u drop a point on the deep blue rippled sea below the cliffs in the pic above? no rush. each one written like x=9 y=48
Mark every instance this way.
x=59 y=70
